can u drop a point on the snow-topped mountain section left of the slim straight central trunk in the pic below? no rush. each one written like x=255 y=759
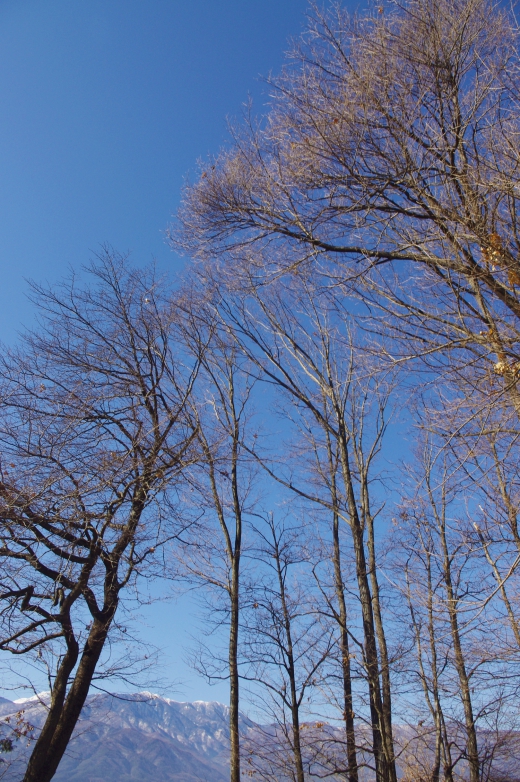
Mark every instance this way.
x=136 y=737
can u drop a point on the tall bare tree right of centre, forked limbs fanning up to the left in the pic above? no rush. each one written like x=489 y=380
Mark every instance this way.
x=303 y=347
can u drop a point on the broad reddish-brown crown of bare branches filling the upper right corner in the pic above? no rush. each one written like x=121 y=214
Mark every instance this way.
x=389 y=163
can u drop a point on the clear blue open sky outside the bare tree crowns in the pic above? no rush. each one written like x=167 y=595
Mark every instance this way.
x=106 y=106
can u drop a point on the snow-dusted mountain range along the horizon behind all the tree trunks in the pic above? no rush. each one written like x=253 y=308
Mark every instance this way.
x=143 y=737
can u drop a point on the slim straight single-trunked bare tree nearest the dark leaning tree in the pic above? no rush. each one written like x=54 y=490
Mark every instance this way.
x=222 y=487
